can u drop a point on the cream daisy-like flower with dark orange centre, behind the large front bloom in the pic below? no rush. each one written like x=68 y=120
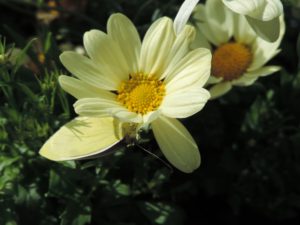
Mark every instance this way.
x=239 y=55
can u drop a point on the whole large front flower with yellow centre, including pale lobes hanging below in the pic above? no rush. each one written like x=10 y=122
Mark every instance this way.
x=125 y=85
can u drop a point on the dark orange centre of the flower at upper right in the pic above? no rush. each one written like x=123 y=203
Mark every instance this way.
x=231 y=60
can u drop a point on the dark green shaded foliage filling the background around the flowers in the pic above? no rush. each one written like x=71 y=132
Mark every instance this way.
x=249 y=139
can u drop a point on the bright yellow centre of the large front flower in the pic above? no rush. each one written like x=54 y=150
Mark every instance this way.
x=141 y=93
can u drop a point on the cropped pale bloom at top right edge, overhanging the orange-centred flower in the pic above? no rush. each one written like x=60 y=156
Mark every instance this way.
x=262 y=15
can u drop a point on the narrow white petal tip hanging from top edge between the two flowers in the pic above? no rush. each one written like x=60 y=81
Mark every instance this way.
x=183 y=15
